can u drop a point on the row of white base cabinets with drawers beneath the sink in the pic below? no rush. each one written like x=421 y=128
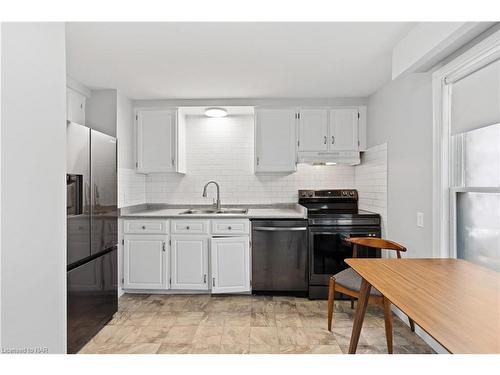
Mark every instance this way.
x=196 y=255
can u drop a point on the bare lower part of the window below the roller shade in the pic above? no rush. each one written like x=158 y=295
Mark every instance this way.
x=475 y=201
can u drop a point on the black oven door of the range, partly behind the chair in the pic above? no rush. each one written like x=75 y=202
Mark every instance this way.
x=328 y=250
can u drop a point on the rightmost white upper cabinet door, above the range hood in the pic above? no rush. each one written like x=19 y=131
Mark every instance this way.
x=344 y=129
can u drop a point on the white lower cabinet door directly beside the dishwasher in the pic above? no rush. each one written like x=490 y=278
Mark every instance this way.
x=230 y=258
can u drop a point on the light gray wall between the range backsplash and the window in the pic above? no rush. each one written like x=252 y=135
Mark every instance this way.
x=400 y=114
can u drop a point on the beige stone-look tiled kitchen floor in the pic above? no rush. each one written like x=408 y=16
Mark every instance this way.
x=242 y=324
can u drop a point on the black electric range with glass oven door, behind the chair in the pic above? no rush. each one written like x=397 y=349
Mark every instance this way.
x=333 y=216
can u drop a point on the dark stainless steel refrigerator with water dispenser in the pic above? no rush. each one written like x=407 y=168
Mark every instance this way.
x=91 y=181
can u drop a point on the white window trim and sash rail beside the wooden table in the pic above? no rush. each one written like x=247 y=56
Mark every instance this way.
x=444 y=212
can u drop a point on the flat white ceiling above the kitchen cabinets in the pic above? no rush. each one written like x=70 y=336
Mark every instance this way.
x=234 y=60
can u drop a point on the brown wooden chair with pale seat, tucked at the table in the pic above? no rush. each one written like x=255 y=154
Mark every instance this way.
x=348 y=282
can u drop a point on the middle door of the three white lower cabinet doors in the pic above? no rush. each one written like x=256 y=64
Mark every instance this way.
x=189 y=262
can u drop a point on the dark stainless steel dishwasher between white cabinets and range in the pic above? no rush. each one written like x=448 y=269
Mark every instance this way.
x=279 y=257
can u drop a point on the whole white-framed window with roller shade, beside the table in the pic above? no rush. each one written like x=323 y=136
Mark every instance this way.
x=467 y=155
